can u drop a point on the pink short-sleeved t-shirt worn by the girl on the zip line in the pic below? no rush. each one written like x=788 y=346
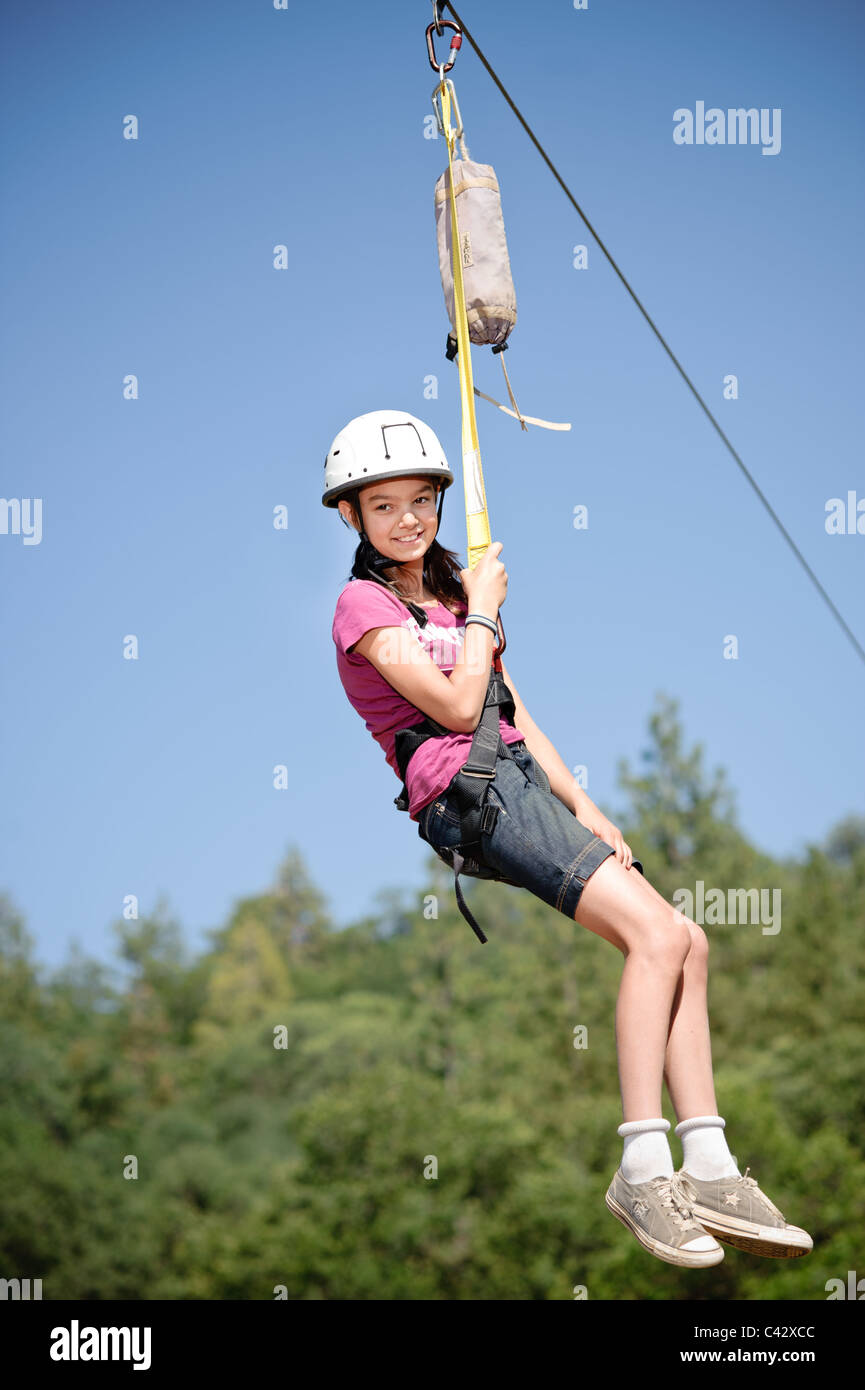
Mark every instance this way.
x=362 y=605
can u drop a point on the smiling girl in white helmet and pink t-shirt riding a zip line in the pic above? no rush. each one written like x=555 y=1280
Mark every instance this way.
x=415 y=639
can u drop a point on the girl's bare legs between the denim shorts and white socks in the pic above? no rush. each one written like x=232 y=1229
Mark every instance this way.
x=663 y=1025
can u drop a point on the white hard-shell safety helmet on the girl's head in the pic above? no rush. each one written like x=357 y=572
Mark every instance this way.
x=383 y=444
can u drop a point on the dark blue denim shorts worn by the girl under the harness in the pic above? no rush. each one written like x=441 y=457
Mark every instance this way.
x=537 y=843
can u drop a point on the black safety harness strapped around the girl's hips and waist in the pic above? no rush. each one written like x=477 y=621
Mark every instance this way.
x=469 y=786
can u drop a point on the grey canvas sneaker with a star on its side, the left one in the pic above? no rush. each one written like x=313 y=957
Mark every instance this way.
x=660 y=1216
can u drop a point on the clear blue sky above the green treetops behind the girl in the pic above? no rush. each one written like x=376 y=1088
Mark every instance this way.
x=262 y=127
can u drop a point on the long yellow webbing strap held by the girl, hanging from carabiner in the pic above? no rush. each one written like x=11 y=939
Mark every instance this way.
x=478 y=522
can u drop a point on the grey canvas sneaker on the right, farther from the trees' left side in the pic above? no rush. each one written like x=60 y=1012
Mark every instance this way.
x=738 y=1213
